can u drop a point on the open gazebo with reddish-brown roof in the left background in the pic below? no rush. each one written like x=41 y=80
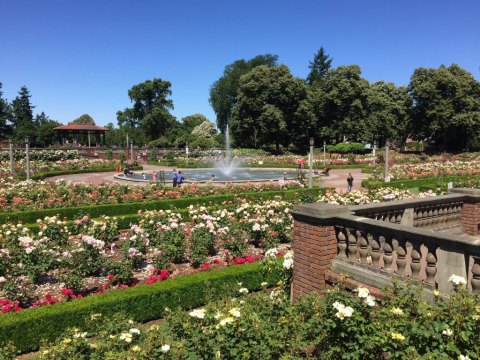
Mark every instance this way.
x=81 y=134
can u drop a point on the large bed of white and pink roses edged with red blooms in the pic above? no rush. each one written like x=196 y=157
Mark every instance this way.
x=89 y=255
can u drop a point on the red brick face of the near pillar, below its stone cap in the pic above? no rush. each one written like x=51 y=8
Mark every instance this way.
x=315 y=246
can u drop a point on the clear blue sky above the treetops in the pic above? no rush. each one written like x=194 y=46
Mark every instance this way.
x=80 y=57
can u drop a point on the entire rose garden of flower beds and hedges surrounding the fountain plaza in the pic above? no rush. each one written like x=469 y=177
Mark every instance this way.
x=121 y=271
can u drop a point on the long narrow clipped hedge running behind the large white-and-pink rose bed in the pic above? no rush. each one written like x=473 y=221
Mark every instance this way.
x=95 y=211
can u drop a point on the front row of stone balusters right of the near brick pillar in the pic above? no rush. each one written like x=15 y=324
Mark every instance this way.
x=396 y=251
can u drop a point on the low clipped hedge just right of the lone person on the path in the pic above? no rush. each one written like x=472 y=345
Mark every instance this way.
x=426 y=183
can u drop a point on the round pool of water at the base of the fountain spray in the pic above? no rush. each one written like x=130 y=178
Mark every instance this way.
x=238 y=175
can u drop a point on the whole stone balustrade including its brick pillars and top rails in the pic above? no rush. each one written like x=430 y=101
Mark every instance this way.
x=376 y=243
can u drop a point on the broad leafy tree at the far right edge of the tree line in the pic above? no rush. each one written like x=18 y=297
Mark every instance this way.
x=446 y=107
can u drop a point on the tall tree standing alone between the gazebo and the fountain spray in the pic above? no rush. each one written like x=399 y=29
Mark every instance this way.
x=151 y=108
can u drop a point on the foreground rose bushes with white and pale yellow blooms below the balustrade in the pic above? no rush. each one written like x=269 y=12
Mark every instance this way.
x=336 y=325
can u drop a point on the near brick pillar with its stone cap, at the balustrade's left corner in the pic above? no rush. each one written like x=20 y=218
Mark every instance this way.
x=314 y=246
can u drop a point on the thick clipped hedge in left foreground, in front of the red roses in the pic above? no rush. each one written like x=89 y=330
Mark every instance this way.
x=28 y=328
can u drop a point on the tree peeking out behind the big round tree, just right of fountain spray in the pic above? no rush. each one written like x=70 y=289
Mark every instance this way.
x=223 y=92
